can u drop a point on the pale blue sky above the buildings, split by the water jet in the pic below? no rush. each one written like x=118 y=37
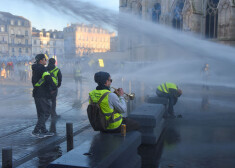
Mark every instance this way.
x=41 y=18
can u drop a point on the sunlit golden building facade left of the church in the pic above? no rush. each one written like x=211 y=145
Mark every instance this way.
x=82 y=40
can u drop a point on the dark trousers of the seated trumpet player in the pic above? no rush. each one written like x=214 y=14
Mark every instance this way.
x=131 y=125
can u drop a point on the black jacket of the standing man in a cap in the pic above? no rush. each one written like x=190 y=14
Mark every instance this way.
x=47 y=87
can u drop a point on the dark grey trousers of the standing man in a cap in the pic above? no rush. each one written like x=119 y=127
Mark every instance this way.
x=43 y=106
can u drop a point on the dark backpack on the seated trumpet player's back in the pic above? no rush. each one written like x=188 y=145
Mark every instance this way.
x=96 y=116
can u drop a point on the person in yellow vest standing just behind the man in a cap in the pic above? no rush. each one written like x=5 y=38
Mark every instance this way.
x=57 y=79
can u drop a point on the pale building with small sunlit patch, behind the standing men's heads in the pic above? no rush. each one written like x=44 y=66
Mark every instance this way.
x=48 y=42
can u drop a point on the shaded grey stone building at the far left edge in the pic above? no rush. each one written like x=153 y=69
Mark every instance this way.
x=15 y=36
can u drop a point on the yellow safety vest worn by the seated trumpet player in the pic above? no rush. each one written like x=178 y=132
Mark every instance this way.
x=116 y=120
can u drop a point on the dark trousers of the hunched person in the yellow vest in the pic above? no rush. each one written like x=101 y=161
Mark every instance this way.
x=172 y=100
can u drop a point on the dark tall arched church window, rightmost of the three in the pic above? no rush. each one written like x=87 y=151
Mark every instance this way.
x=211 y=19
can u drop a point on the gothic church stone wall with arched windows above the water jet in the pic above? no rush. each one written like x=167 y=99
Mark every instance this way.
x=212 y=19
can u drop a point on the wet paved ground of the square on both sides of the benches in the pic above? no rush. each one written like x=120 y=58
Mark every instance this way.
x=203 y=138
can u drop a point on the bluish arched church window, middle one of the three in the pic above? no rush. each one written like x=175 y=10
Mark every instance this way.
x=177 y=21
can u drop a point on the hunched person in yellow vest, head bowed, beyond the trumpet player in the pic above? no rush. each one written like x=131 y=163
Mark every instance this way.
x=172 y=92
